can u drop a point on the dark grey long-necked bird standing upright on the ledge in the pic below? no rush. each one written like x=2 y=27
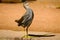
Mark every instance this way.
x=26 y=20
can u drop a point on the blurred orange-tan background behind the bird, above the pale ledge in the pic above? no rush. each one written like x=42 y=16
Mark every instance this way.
x=46 y=15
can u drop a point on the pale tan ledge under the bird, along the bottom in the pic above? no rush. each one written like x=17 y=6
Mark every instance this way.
x=16 y=35
